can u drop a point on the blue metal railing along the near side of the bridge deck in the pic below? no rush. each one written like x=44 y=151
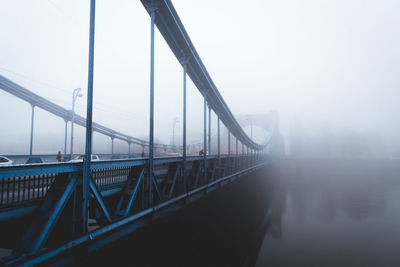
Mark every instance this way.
x=21 y=185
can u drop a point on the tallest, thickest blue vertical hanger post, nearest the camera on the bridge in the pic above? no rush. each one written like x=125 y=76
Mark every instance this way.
x=89 y=110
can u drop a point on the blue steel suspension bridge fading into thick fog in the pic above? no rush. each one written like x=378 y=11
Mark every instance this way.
x=85 y=205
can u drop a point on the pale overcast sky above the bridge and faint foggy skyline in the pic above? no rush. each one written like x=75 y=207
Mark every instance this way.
x=330 y=63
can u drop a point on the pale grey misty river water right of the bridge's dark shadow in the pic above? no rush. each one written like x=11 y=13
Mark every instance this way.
x=343 y=217
